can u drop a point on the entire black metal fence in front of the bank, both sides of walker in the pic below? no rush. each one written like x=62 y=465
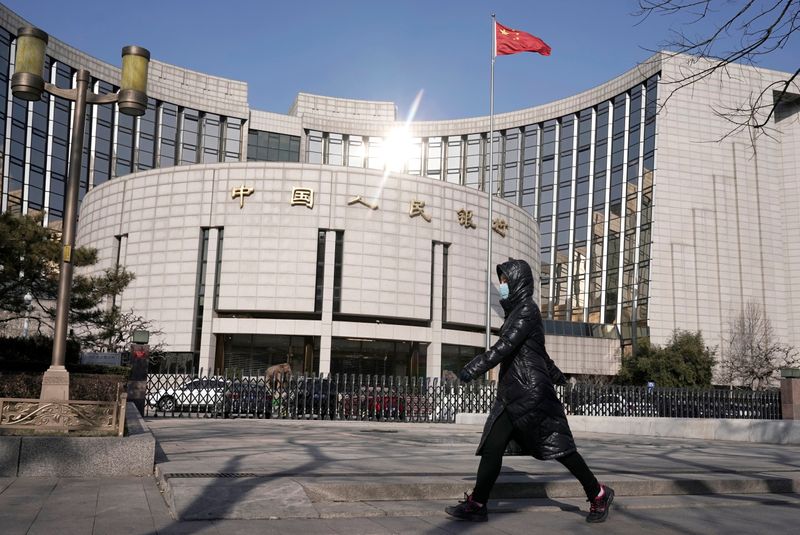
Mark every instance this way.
x=409 y=399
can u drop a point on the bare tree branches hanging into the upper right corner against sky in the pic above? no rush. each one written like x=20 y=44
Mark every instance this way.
x=751 y=30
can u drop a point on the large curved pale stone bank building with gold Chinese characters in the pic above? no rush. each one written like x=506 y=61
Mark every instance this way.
x=345 y=240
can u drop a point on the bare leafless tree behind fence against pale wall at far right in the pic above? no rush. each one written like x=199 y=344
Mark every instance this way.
x=754 y=353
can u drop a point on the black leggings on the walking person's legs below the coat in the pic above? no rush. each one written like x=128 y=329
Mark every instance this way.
x=492 y=461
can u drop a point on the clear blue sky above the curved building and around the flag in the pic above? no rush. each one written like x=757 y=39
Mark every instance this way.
x=377 y=49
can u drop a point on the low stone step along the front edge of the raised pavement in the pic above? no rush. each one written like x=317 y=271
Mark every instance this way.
x=250 y=495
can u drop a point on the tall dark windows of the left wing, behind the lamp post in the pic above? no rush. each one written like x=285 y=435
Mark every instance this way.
x=35 y=138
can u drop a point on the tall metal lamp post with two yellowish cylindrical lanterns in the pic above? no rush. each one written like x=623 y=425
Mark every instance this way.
x=27 y=84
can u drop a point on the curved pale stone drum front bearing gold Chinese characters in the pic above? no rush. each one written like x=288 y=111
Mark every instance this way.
x=268 y=263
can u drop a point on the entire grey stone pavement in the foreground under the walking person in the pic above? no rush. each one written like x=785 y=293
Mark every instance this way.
x=279 y=476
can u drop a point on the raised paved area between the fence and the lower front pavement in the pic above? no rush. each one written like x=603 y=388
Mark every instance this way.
x=257 y=469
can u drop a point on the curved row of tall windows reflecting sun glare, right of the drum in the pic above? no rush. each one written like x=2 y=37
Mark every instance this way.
x=587 y=177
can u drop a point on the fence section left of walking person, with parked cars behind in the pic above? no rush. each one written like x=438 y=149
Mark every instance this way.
x=333 y=397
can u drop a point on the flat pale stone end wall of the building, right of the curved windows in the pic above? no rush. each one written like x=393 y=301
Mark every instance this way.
x=726 y=223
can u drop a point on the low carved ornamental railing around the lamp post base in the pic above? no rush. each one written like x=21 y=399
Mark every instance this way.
x=96 y=417
